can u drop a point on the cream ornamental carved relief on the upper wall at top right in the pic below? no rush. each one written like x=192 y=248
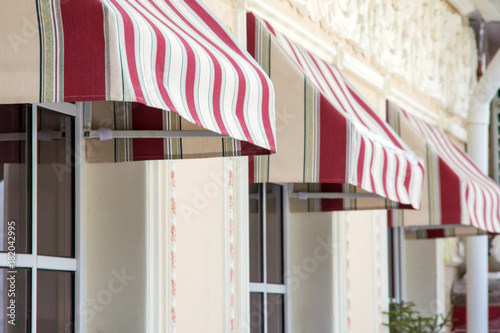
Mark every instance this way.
x=424 y=43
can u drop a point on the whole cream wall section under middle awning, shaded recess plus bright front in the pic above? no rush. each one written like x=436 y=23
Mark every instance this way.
x=338 y=273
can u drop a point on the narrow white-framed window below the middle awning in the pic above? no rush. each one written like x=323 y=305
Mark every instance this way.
x=267 y=259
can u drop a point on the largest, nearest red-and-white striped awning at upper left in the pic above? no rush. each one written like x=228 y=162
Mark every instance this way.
x=147 y=55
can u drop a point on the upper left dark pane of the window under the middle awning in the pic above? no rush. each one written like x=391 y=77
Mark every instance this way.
x=256 y=250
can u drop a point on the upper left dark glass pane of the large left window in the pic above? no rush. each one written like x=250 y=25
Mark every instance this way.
x=15 y=178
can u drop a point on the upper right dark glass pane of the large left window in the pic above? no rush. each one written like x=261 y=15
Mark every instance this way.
x=55 y=211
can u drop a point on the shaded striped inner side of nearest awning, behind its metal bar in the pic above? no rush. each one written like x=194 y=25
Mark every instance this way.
x=137 y=116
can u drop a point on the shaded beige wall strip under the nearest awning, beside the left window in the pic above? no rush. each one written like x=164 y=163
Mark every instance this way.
x=116 y=247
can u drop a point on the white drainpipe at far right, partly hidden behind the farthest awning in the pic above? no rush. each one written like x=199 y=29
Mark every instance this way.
x=477 y=247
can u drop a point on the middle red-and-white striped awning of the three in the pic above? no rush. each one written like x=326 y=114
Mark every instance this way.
x=328 y=134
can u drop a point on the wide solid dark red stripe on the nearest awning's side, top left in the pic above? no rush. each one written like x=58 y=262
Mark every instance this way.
x=84 y=56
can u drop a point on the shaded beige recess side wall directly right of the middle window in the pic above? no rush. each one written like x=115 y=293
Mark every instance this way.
x=311 y=272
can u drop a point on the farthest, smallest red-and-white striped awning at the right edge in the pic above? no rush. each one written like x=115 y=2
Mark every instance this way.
x=456 y=193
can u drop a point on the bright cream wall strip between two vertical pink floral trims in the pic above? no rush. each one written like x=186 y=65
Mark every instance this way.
x=200 y=246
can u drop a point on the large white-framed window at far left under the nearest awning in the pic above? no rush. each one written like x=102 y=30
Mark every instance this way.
x=37 y=218
